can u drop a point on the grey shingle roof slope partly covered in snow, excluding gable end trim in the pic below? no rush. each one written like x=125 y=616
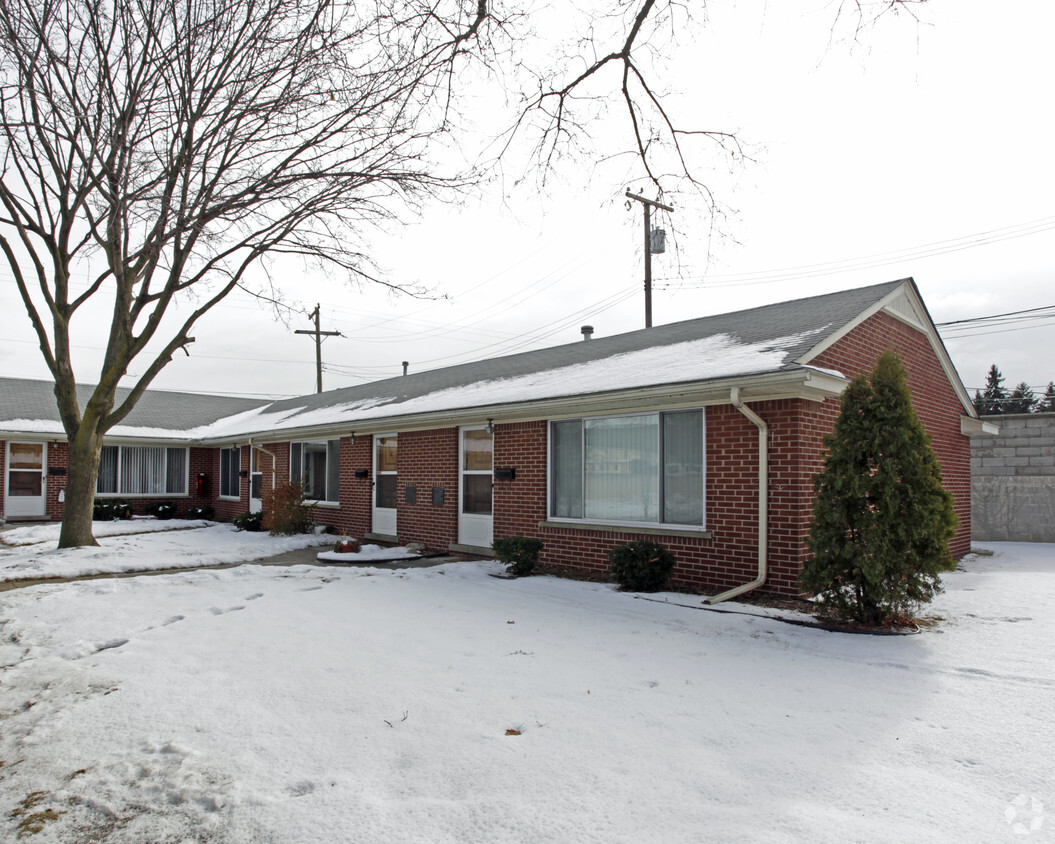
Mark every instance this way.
x=758 y=342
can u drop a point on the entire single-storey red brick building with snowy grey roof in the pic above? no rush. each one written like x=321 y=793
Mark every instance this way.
x=703 y=435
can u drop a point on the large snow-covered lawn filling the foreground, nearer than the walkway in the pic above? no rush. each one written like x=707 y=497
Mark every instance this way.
x=265 y=704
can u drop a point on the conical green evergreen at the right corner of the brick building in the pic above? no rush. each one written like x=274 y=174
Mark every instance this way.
x=883 y=521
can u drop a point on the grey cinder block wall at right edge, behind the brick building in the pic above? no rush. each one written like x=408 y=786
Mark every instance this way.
x=1013 y=481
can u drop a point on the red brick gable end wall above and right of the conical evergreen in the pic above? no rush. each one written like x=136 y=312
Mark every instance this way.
x=934 y=399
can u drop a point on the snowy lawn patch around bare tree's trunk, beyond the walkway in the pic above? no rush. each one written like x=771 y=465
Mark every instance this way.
x=29 y=553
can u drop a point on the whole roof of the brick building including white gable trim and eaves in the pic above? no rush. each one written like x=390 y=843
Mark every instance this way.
x=766 y=351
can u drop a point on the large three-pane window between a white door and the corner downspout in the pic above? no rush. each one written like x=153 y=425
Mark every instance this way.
x=640 y=469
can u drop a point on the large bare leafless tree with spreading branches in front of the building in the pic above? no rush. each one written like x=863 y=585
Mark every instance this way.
x=177 y=144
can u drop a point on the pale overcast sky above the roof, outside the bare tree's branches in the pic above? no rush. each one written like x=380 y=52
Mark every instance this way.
x=925 y=150
